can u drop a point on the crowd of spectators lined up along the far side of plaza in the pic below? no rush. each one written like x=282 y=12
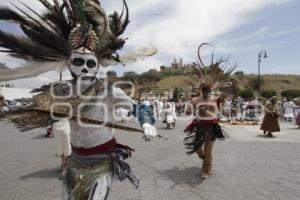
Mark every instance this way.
x=236 y=110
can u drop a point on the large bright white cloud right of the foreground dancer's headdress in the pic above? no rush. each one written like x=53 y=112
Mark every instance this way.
x=178 y=30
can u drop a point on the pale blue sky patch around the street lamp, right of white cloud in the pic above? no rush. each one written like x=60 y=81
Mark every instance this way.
x=277 y=30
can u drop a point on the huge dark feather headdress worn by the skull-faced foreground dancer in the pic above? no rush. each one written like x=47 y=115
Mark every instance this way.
x=65 y=26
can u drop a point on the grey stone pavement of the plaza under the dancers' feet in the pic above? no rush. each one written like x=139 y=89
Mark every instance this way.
x=247 y=166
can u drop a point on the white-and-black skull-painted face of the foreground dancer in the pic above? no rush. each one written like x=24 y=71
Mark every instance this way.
x=83 y=66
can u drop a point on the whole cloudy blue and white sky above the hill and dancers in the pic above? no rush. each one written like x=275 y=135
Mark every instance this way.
x=236 y=28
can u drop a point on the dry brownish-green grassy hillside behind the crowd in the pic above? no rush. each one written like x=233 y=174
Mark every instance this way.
x=275 y=82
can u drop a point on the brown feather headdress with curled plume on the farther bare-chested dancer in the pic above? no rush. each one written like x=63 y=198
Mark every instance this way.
x=209 y=76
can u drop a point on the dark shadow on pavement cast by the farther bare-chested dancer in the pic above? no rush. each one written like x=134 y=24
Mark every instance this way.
x=188 y=176
